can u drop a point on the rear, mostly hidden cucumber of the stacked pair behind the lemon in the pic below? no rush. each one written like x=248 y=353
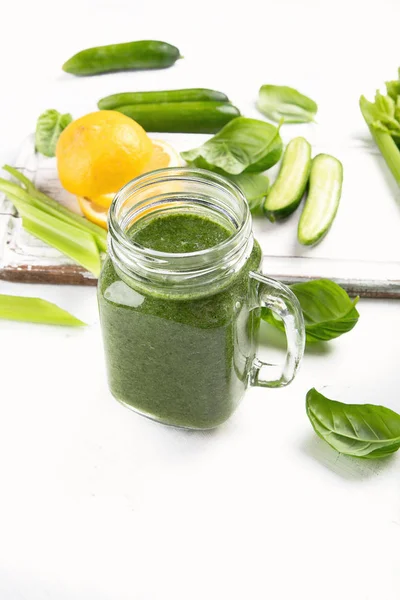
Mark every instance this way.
x=186 y=95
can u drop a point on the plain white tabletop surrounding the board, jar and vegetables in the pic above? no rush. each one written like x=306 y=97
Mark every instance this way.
x=98 y=503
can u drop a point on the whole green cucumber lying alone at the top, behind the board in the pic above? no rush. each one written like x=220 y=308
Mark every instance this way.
x=146 y=54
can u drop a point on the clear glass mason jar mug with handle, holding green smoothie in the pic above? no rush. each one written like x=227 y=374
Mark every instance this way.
x=180 y=329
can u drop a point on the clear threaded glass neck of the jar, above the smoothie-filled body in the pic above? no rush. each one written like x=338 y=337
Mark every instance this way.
x=202 y=270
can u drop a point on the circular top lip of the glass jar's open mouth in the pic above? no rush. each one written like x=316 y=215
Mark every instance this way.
x=160 y=176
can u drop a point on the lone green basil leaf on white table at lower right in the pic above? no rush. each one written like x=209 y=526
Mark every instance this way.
x=361 y=430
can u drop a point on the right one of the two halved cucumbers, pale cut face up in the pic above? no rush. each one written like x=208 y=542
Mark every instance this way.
x=321 y=206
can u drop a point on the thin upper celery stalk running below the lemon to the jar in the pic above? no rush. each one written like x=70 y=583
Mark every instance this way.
x=29 y=193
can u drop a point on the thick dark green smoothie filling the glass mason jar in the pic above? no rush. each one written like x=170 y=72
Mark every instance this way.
x=182 y=362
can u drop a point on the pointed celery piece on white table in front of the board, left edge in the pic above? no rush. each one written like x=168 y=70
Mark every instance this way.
x=35 y=310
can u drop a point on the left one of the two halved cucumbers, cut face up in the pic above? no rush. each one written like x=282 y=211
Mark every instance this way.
x=288 y=189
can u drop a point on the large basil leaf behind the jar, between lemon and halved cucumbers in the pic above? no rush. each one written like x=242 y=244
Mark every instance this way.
x=242 y=146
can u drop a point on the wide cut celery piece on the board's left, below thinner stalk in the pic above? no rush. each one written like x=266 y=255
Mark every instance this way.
x=71 y=241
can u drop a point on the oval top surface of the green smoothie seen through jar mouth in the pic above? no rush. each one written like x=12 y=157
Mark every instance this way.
x=179 y=233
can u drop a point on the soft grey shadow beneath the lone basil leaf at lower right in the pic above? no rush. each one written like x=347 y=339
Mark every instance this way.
x=352 y=469
